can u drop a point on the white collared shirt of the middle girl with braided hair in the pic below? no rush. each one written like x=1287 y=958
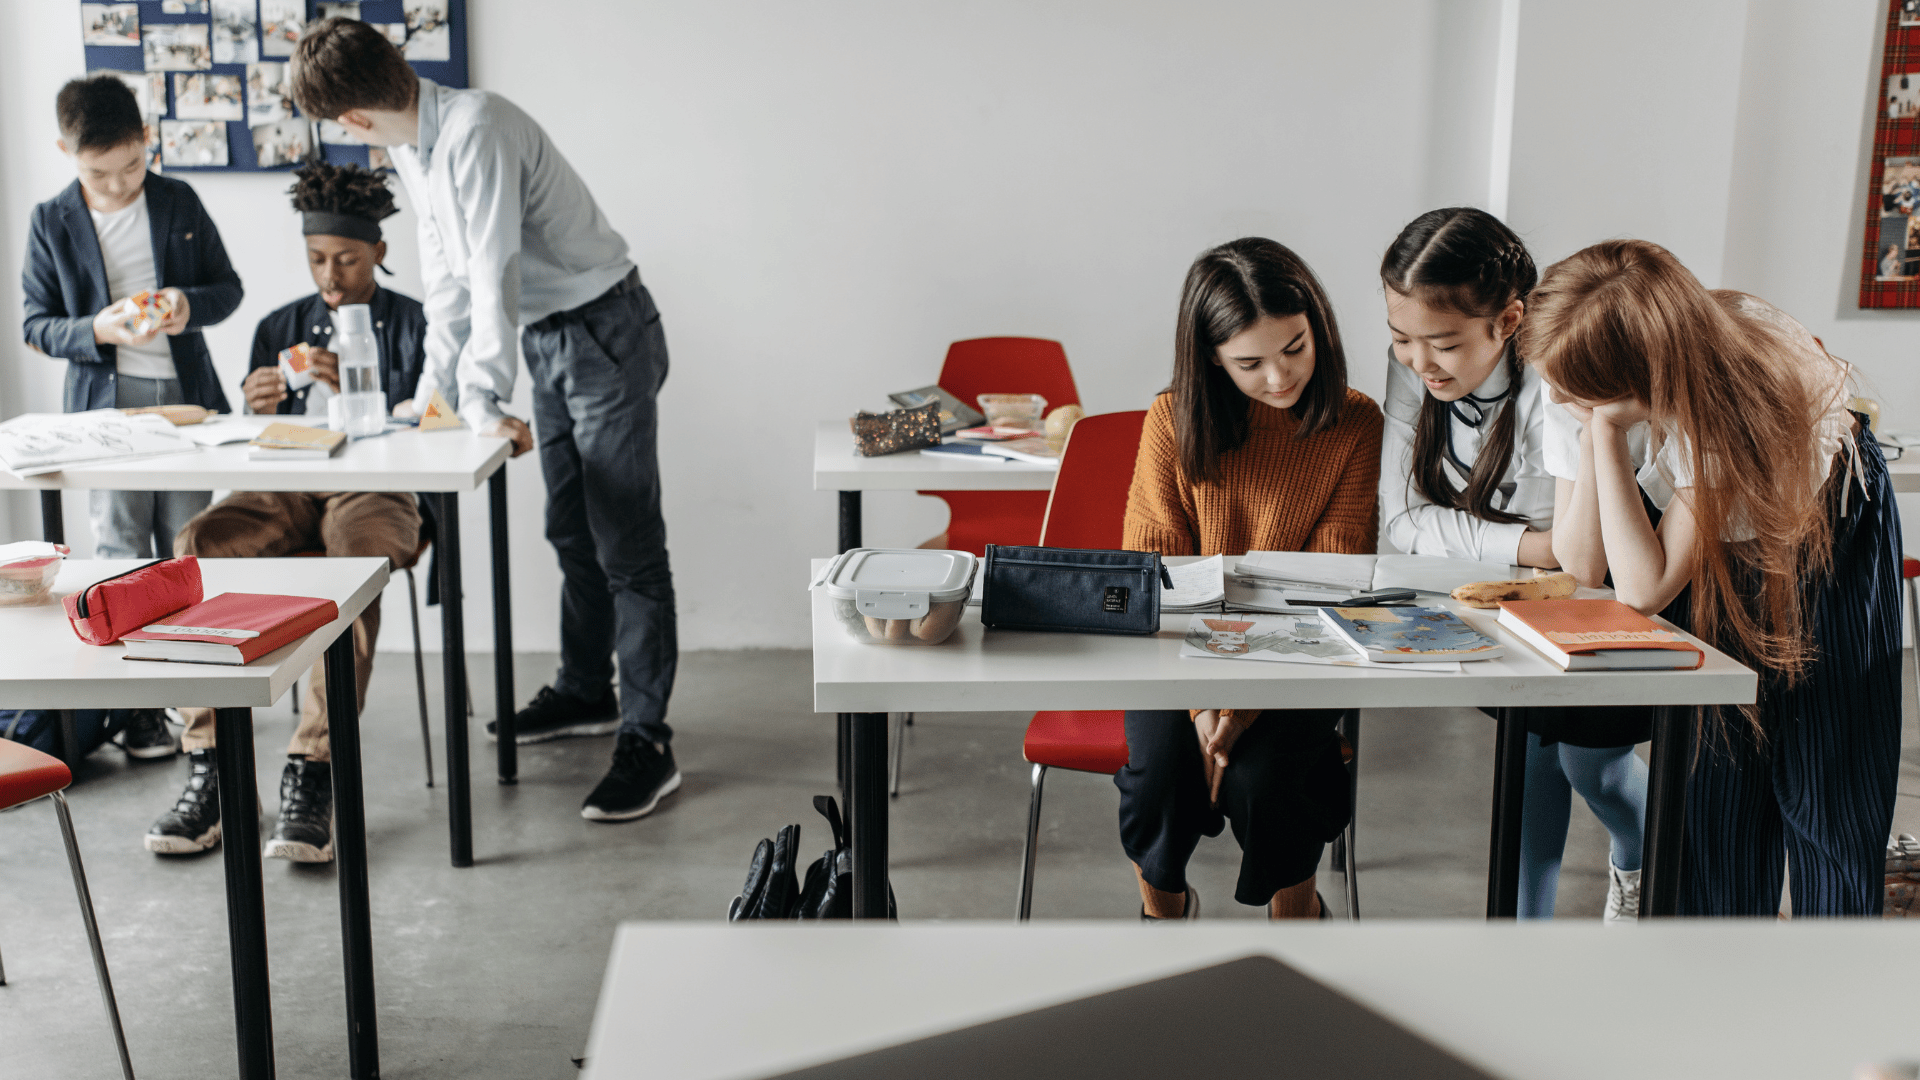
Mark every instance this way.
x=1420 y=528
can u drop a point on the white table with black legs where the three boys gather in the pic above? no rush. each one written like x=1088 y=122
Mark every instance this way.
x=439 y=462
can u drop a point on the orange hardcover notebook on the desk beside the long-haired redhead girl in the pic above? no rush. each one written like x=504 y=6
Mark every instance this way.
x=1598 y=635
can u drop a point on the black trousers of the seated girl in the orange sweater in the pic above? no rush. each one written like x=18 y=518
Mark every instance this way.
x=1285 y=793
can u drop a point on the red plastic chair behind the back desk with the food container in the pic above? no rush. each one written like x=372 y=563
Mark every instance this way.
x=1003 y=366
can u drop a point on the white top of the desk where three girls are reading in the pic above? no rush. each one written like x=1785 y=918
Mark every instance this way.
x=1015 y=672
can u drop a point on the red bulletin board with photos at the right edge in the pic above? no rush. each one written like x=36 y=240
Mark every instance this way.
x=1890 y=272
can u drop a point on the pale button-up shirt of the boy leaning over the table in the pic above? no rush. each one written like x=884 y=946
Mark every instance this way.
x=510 y=235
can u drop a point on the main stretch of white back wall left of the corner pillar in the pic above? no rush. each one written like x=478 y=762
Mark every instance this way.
x=823 y=197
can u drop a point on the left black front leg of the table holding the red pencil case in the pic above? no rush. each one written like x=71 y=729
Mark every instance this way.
x=247 y=906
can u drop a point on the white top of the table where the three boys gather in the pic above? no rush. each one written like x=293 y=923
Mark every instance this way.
x=452 y=460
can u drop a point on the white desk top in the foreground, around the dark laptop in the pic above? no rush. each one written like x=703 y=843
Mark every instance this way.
x=1737 y=1000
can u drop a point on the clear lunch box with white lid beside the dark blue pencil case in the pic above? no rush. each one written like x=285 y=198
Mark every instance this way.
x=900 y=597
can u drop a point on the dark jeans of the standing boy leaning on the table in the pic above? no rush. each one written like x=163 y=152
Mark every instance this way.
x=596 y=374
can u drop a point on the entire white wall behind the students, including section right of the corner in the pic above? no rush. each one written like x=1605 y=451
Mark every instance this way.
x=823 y=197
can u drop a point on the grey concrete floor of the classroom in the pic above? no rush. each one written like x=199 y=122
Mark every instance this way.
x=494 y=971
